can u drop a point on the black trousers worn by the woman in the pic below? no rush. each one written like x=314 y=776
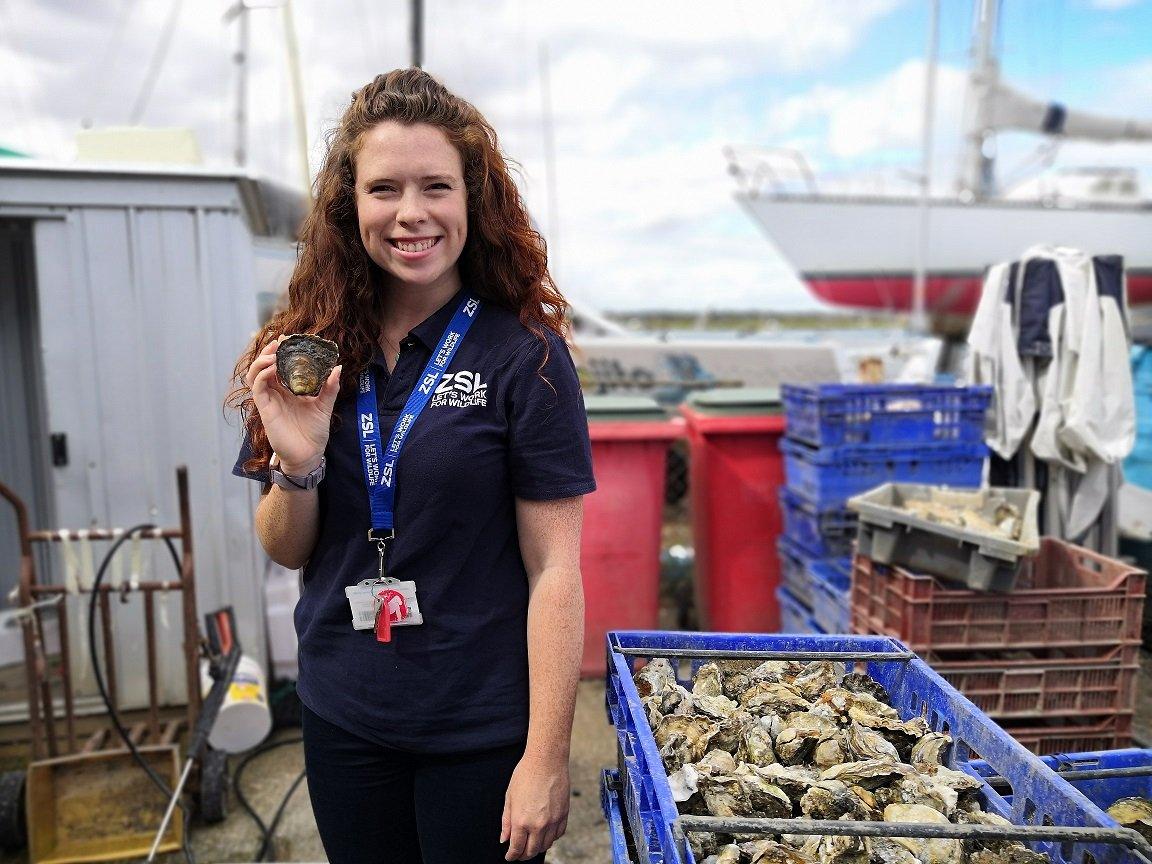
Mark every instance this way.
x=378 y=806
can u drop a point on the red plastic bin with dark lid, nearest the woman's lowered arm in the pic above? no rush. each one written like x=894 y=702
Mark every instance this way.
x=620 y=544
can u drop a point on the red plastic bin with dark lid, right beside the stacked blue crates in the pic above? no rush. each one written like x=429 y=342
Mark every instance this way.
x=737 y=471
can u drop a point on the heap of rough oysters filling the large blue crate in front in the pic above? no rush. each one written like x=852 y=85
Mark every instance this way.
x=780 y=740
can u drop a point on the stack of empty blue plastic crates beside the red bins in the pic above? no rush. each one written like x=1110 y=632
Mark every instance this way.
x=846 y=439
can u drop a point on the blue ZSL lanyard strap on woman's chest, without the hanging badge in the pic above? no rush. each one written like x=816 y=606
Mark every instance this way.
x=381 y=476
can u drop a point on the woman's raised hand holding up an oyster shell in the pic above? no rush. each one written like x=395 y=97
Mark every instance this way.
x=298 y=427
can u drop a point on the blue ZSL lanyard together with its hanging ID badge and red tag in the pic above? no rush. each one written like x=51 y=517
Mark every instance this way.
x=377 y=603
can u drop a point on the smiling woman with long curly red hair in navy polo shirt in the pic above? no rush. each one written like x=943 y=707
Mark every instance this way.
x=446 y=740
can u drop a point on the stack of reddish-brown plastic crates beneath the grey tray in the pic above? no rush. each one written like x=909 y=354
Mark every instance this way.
x=1055 y=662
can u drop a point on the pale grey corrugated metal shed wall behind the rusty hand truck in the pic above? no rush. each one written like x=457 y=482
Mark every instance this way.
x=145 y=310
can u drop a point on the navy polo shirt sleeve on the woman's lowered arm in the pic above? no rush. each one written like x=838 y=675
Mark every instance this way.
x=550 y=454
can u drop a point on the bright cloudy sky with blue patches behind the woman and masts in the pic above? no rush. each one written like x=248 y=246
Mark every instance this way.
x=645 y=97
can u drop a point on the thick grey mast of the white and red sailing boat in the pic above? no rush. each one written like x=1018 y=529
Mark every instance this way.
x=977 y=178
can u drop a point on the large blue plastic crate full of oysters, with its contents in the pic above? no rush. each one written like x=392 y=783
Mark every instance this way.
x=776 y=749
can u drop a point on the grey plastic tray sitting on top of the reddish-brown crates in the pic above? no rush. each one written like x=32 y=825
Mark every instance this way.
x=890 y=534
